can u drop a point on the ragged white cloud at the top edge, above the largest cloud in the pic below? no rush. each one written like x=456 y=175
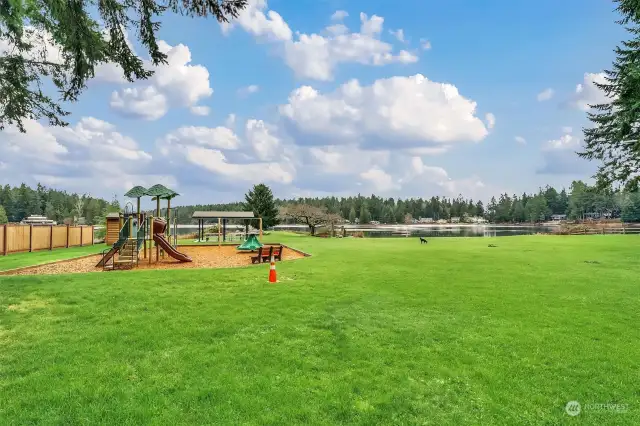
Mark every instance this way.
x=316 y=56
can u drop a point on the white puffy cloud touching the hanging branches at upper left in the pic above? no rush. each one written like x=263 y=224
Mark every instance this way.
x=176 y=84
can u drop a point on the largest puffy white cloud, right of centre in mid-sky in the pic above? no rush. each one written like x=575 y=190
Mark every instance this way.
x=399 y=112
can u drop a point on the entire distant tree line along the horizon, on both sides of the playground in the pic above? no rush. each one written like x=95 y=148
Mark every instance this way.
x=580 y=201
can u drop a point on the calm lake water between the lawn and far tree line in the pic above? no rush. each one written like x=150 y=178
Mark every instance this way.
x=449 y=230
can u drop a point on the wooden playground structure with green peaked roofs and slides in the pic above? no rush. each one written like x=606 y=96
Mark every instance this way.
x=138 y=232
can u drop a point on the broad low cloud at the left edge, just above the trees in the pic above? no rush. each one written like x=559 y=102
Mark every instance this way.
x=90 y=156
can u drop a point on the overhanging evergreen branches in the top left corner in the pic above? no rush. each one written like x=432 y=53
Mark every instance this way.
x=62 y=41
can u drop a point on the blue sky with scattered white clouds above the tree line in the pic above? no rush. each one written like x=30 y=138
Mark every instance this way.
x=470 y=97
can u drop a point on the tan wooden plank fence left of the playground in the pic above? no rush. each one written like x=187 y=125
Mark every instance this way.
x=21 y=238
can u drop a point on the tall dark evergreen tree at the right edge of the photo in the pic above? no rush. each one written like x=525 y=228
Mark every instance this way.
x=614 y=138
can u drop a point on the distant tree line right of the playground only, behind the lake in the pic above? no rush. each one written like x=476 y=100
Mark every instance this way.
x=580 y=202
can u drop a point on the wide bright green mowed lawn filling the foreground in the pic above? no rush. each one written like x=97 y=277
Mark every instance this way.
x=367 y=331
